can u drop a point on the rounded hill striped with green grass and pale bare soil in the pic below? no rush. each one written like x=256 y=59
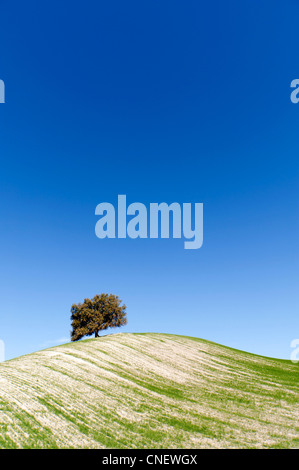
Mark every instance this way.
x=148 y=391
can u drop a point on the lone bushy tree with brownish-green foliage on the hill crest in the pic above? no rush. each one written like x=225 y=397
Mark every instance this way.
x=97 y=314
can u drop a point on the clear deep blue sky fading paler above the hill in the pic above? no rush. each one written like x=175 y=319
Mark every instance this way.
x=161 y=101
